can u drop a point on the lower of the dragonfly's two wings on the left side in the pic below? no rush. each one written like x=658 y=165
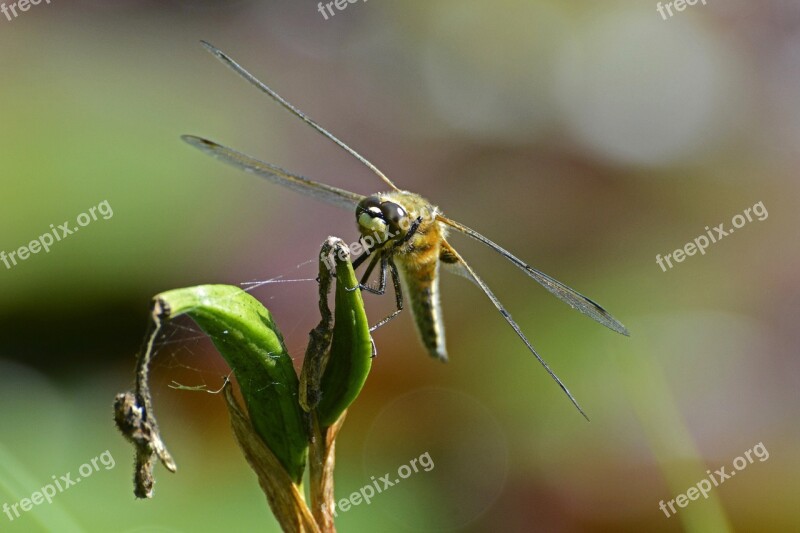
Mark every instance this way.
x=320 y=191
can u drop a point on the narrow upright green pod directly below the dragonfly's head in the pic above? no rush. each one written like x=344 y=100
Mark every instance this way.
x=351 y=348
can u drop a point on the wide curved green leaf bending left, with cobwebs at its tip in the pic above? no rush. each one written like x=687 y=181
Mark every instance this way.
x=246 y=336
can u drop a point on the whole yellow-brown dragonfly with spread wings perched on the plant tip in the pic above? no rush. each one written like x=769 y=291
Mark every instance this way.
x=408 y=237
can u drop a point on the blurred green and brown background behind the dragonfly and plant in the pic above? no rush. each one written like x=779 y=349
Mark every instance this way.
x=585 y=137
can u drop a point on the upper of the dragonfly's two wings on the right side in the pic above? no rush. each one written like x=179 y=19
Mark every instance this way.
x=573 y=298
